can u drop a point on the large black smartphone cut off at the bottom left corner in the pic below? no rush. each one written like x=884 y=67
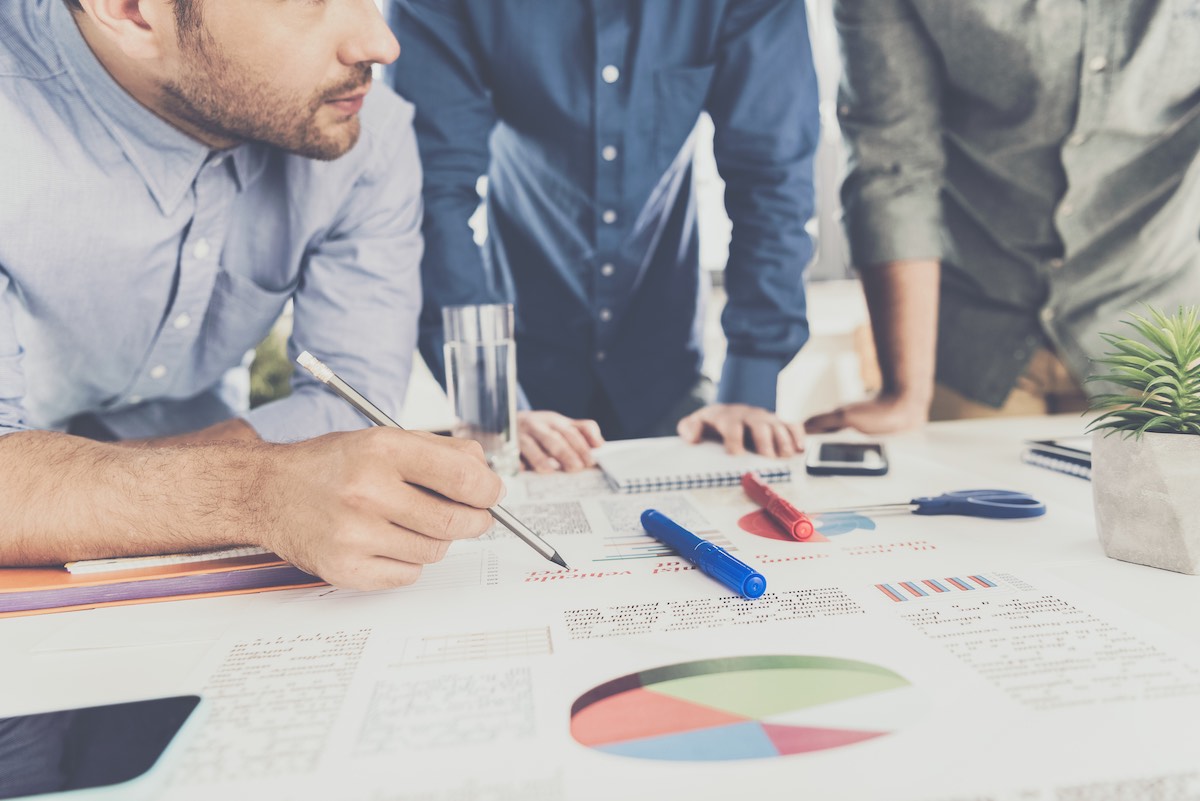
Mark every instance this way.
x=93 y=748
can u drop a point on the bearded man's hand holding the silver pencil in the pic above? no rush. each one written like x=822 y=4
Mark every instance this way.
x=367 y=510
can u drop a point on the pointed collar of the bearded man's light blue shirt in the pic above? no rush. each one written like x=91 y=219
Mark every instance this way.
x=167 y=159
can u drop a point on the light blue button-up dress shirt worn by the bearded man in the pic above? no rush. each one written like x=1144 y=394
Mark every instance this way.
x=139 y=268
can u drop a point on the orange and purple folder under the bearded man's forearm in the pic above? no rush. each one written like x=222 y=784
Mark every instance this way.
x=41 y=591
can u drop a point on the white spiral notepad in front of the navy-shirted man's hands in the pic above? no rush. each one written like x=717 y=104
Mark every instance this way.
x=670 y=463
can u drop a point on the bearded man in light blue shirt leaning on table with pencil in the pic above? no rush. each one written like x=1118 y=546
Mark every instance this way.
x=175 y=173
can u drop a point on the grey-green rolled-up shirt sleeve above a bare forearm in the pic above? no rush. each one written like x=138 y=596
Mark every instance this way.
x=890 y=109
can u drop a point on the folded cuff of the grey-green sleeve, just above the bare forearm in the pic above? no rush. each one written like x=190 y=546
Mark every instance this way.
x=895 y=230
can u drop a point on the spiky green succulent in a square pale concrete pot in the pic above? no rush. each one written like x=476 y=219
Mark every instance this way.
x=1147 y=443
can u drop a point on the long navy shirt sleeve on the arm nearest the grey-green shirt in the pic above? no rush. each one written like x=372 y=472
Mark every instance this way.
x=764 y=104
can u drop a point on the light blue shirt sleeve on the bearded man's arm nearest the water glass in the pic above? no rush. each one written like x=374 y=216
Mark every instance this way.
x=361 y=294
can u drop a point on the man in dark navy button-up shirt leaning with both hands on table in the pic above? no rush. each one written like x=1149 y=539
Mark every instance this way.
x=583 y=117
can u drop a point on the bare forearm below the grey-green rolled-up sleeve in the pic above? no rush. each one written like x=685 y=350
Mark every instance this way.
x=903 y=300
